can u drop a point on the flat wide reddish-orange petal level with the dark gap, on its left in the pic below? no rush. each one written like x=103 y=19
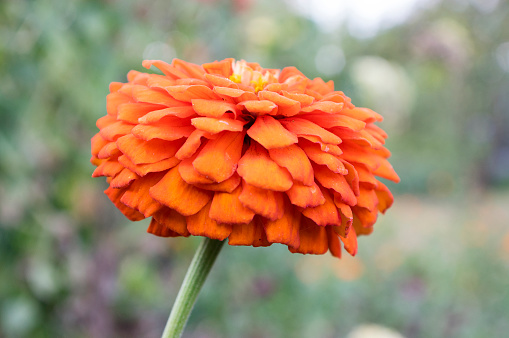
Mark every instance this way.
x=165 y=131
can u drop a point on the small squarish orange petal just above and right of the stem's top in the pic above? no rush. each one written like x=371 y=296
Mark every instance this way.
x=226 y=208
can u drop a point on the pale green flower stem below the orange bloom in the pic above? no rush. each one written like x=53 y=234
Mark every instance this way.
x=196 y=274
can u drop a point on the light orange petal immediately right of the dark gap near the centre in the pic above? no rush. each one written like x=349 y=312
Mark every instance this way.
x=270 y=133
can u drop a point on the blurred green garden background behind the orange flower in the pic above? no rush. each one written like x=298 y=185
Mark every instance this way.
x=437 y=264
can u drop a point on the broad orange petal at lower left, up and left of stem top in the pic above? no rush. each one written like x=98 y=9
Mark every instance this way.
x=175 y=193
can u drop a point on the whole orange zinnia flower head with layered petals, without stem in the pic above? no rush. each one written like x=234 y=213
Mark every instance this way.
x=231 y=150
